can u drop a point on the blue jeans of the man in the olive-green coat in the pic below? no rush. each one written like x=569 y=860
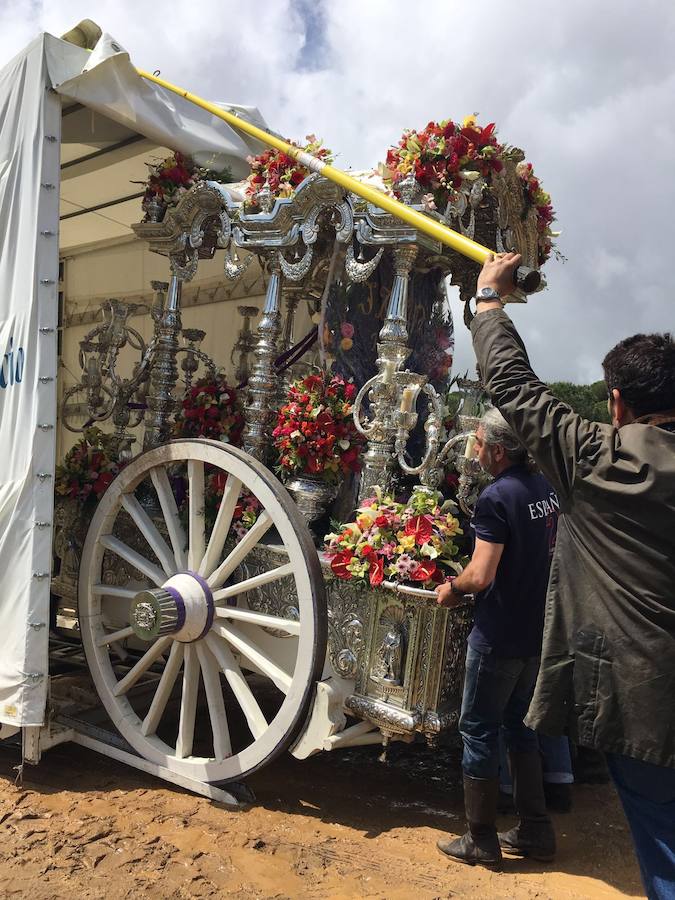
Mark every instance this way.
x=647 y=793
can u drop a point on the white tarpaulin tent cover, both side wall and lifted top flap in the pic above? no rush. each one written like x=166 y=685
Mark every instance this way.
x=31 y=166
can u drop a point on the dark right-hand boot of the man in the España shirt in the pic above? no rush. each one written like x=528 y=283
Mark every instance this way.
x=533 y=836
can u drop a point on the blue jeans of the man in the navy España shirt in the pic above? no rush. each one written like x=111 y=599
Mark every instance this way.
x=497 y=691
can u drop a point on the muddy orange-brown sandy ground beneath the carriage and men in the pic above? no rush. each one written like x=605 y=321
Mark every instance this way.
x=340 y=825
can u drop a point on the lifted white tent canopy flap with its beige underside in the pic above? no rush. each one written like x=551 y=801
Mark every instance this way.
x=113 y=119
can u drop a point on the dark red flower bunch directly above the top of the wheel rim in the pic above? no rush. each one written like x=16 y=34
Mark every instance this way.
x=210 y=409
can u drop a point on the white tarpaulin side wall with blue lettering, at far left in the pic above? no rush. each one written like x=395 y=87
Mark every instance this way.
x=29 y=170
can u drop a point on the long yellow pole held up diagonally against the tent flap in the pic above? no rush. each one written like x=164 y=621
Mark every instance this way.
x=412 y=217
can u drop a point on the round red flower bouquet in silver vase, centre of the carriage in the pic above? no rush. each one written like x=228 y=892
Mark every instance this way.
x=315 y=433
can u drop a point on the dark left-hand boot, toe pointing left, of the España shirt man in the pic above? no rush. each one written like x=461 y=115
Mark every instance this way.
x=480 y=845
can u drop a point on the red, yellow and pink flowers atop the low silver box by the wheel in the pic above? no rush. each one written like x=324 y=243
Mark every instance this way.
x=400 y=542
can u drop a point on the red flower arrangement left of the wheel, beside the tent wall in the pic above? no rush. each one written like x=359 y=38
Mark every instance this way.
x=88 y=467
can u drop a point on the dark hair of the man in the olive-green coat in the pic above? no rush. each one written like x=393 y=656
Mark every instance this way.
x=642 y=367
